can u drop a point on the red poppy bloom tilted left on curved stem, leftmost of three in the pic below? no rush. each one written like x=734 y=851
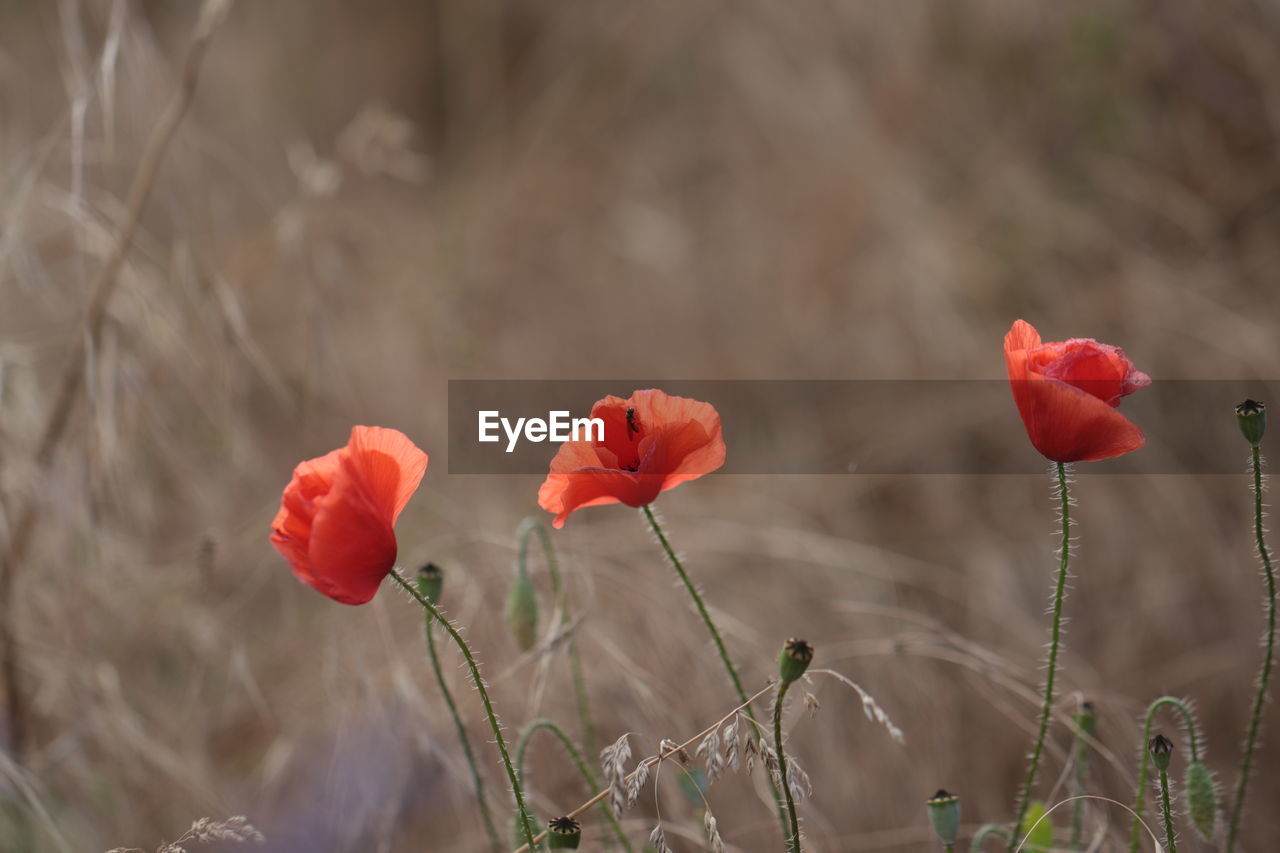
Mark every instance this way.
x=339 y=513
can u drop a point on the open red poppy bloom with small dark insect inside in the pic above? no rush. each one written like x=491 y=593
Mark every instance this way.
x=652 y=443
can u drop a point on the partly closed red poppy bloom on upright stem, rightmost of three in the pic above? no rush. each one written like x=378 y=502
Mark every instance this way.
x=1068 y=393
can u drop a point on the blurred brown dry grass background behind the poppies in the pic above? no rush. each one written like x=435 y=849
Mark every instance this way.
x=371 y=199
